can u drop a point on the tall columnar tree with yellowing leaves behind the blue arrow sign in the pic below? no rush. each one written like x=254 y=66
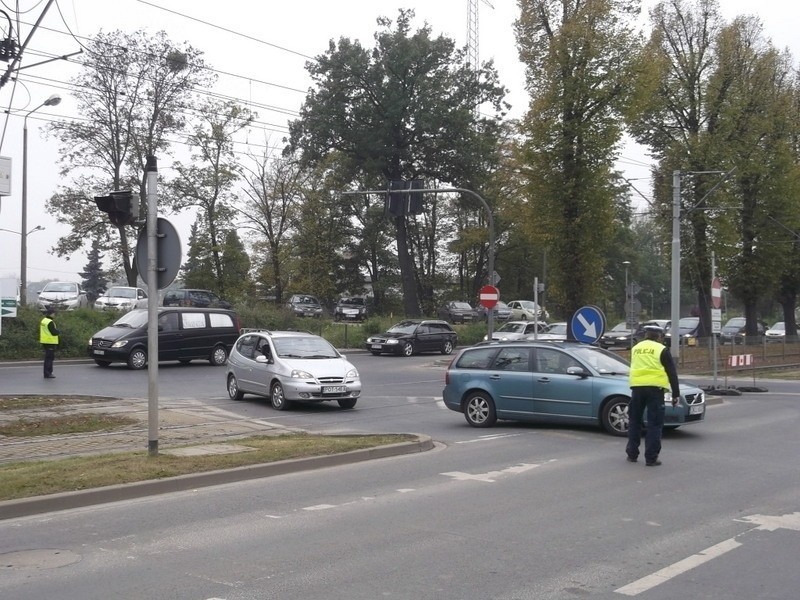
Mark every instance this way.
x=580 y=58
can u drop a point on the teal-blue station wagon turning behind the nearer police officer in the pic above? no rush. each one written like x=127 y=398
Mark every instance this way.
x=558 y=382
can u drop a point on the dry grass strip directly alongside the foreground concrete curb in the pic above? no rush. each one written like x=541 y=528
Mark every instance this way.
x=36 y=478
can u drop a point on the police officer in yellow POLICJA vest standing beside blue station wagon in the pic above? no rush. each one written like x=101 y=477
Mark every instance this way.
x=653 y=374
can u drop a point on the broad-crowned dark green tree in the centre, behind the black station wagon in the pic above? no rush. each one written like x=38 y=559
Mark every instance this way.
x=399 y=112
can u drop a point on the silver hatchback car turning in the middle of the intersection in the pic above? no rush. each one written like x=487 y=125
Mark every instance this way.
x=289 y=366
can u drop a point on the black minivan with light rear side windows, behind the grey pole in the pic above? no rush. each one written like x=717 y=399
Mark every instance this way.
x=184 y=334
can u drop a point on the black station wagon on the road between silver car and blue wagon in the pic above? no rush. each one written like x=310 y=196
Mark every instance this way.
x=412 y=336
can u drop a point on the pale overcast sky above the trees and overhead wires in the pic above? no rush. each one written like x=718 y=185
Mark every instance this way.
x=259 y=54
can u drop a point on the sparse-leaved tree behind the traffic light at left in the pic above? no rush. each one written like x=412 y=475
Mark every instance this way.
x=132 y=94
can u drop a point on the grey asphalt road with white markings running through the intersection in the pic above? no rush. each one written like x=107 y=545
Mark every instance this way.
x=515 y=512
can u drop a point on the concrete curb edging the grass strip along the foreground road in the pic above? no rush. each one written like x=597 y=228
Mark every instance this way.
x=23 y=507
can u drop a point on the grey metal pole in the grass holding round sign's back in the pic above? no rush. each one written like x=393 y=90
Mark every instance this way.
x=151 y=170
